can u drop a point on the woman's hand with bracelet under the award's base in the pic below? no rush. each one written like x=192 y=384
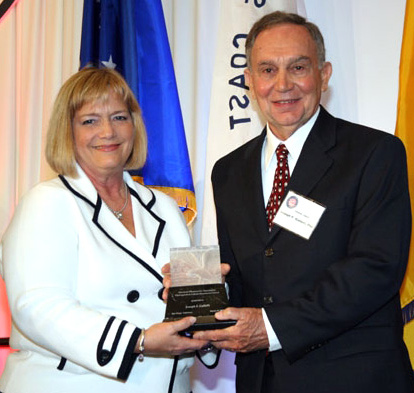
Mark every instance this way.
x=163 y=338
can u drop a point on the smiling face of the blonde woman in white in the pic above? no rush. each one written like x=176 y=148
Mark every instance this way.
x=103 y=133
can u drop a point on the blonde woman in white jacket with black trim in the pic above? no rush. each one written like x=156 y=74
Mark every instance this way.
x=83 y=254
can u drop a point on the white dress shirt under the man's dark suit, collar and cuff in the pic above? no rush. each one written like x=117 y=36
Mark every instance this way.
x=294 y=145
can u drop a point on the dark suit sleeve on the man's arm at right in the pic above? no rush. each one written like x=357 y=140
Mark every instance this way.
x=366 y=278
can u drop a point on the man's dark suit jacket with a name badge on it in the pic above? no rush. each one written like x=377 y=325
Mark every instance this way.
x=333 y=300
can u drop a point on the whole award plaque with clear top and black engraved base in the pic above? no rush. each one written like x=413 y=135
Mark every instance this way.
x=196 y=287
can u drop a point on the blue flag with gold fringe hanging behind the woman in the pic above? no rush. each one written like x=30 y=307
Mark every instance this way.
x=131 y=37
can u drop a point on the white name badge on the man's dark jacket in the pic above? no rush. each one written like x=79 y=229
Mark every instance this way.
x=299 y=214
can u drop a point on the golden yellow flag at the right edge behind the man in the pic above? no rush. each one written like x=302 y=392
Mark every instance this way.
x=404 y=130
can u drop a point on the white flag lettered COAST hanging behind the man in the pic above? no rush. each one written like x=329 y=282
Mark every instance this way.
x=234 y=118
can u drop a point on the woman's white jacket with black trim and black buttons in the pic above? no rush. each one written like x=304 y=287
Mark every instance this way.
x=81 y=287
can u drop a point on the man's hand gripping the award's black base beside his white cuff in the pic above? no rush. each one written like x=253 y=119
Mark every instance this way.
x=249 y=333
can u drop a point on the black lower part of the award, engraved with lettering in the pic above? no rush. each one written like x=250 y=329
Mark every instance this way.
x=201 y=301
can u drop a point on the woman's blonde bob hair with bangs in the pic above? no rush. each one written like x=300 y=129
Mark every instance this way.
x=86 y=86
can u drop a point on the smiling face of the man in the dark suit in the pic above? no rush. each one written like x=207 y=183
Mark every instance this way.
x=285 y=77
